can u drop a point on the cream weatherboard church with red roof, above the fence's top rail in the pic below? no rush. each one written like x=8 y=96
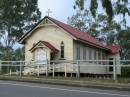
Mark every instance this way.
x=51 y=39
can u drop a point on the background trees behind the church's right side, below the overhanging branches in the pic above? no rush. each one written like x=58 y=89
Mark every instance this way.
x=113 y=32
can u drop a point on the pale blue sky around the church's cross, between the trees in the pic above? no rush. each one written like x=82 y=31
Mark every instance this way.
x=61 y=9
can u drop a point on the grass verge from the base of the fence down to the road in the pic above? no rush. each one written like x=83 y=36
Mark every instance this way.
x=81 y=82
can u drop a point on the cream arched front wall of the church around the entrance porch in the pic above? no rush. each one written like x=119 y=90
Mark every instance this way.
x=54 y=35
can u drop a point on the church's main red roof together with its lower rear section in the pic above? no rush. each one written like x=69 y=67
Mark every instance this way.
x=79 y=35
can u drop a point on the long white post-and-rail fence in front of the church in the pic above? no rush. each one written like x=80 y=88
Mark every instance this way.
x=78 y=67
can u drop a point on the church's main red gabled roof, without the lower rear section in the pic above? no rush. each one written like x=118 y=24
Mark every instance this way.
x=83 y=36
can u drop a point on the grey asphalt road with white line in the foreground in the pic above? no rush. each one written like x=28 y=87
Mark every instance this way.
x=24 y=89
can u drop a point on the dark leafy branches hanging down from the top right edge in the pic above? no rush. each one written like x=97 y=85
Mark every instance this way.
x=112 y=7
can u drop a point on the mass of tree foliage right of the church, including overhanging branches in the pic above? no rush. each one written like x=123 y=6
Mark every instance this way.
x=112 y=32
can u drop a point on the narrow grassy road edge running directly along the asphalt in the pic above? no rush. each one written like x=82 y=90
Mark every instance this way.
x=67 y=82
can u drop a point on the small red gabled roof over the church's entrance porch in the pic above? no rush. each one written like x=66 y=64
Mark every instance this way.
x=47 y=44
